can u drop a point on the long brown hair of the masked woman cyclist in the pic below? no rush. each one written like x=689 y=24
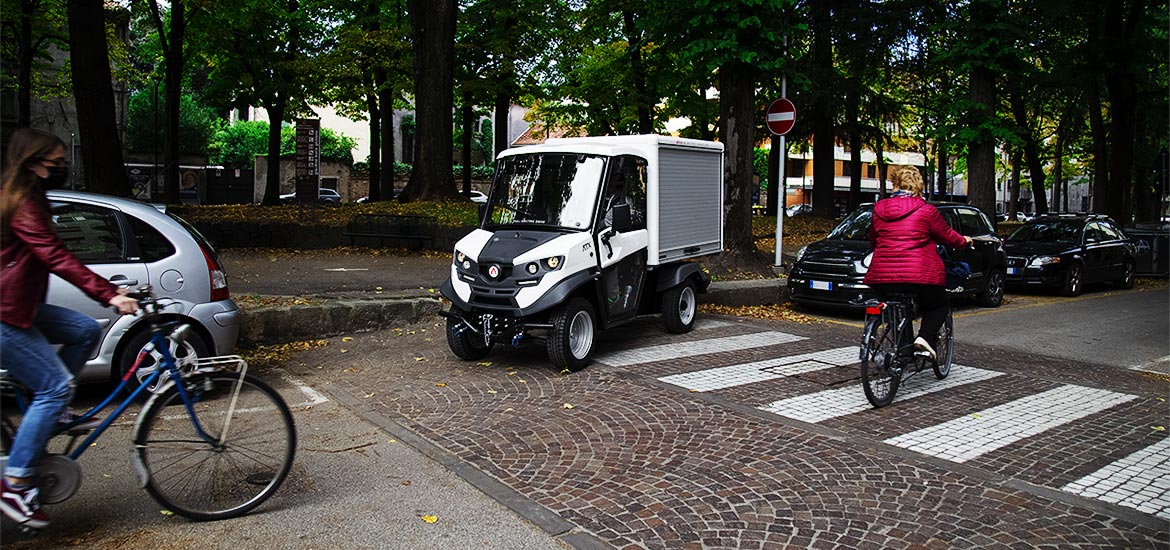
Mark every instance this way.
x=18 y=183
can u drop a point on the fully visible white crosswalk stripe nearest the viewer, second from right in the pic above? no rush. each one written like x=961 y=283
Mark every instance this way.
x=973 y=436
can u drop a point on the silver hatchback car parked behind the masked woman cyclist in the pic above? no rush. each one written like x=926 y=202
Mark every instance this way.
x=134 y=244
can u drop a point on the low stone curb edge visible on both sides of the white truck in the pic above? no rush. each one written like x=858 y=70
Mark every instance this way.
x=276 y=325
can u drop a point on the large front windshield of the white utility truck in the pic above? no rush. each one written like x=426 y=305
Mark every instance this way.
x=549 y=190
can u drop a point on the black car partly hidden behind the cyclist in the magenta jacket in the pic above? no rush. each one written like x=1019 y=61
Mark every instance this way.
x=830 y=272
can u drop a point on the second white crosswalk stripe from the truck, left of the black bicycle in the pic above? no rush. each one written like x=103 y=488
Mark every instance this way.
x=724 y=377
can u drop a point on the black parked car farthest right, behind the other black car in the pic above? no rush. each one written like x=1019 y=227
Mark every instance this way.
x=1068 y=252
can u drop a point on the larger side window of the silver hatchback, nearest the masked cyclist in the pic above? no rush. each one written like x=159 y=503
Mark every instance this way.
x=91 y=232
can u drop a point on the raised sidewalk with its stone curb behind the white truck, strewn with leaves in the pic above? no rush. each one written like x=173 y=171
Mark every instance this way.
x=347 y=292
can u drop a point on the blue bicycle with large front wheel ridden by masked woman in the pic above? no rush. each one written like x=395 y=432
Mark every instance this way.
x=214 y=444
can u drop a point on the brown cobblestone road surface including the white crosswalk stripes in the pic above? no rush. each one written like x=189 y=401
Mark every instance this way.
x=755 y=435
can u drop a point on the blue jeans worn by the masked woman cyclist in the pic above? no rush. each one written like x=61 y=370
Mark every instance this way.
x=27 y=355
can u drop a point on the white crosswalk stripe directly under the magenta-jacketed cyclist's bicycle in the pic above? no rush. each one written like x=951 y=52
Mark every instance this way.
x=829 y=404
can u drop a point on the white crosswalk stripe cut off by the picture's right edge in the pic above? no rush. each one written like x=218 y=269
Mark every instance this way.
x=1140 y=482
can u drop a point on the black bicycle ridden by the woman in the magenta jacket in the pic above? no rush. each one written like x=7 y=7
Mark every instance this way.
x=889 y=357
